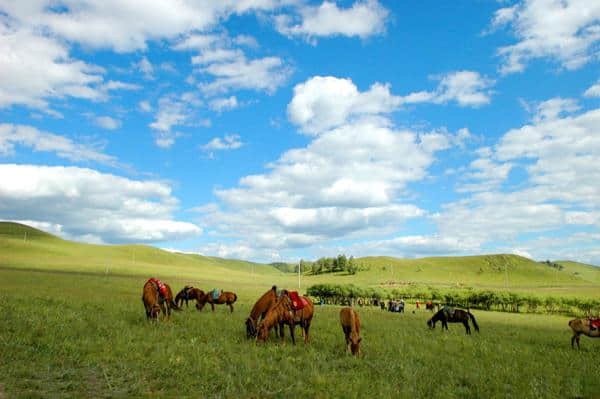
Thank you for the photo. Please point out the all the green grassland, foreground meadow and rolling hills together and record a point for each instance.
(73, 326)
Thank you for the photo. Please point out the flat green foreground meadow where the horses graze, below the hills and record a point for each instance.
(77, 335)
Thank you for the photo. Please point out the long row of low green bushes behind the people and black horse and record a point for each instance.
(469, 298)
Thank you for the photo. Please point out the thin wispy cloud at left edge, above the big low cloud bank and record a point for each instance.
(37, 140)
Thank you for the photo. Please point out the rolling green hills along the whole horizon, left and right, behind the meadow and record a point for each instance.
(24, 247)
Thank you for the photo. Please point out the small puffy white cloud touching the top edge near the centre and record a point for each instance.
(362, 19)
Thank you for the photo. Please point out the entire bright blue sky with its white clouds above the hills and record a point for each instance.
(285, 129)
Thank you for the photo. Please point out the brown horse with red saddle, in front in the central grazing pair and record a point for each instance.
(282, 313)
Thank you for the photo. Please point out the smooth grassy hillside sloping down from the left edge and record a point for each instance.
(27, 248)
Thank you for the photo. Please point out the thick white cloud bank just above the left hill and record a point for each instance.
(87, 203)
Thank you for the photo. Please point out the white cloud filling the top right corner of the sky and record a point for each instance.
(565, 30)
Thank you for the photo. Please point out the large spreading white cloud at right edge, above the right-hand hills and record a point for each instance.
(557, 154)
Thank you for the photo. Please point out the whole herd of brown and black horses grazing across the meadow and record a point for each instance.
(276, 309)
